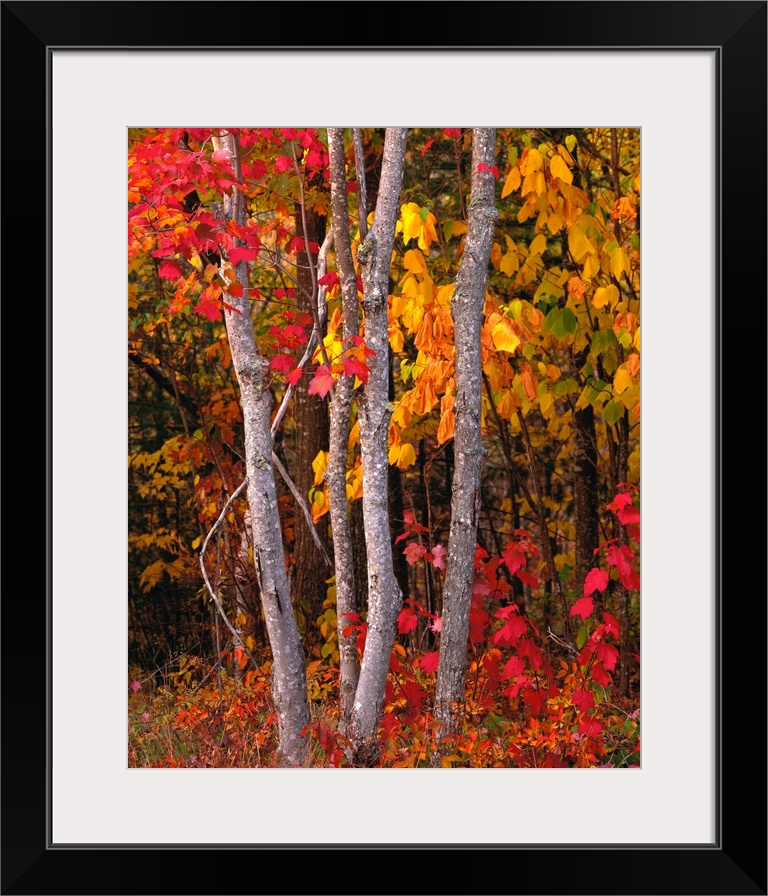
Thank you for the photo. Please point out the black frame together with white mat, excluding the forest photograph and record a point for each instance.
(692, 77)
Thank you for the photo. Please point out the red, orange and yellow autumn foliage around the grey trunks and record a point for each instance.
(553, 653)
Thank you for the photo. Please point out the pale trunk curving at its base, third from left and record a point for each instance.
(384, 596)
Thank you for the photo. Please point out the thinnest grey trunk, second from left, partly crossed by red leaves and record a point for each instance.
(346, 603)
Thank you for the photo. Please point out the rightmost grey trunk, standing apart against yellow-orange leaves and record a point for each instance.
(467, 312)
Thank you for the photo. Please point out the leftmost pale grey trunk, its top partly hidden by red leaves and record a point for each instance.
(289, 688)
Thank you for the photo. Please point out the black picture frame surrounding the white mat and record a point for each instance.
(736, 862)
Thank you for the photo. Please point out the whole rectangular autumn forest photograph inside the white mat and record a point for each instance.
(384, 447)
